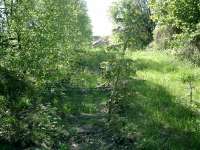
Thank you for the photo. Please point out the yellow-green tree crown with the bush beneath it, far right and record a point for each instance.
(182, 16)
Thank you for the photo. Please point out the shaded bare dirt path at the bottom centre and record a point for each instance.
(90, 132)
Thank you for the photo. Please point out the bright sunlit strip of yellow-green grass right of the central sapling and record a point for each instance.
(166, 70)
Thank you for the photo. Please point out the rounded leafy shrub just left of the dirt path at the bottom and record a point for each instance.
(43, 127)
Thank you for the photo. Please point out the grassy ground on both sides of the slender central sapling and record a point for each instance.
(158, 113)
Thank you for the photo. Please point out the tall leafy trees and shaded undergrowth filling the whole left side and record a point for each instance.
(40, 43)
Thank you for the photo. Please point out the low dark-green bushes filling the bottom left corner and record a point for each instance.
(39, 127)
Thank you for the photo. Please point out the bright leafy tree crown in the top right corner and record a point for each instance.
(183, 14)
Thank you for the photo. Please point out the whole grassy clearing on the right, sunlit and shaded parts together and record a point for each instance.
(160, 107)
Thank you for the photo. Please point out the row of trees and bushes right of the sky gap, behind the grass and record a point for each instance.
(159, 24)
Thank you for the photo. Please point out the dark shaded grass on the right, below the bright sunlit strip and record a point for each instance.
(158, 120)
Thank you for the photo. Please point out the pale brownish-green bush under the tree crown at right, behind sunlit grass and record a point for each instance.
(183, 44)
